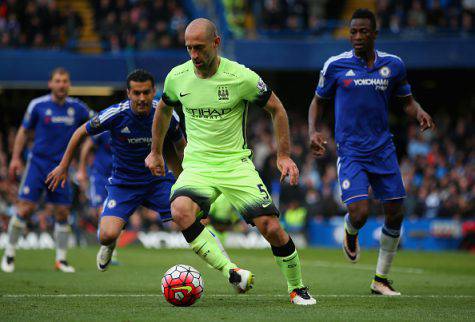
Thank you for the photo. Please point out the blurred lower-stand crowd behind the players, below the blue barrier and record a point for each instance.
(438, 170)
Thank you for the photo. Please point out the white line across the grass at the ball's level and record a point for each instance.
(15, 296)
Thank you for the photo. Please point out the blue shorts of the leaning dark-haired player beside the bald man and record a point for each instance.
(123, 200)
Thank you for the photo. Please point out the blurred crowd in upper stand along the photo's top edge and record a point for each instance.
(125, 25)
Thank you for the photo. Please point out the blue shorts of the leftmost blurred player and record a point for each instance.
(33, 184)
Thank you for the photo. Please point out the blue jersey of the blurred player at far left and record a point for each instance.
(54, 124)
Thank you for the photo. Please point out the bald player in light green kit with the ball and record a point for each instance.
(215, 93)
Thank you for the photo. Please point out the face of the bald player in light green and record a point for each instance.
(202, 49)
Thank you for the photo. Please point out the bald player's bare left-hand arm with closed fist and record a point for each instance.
(161, 122)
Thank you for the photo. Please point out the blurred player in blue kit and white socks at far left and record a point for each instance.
(53, 118)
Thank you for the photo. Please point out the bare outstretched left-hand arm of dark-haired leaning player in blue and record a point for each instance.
(60, 173)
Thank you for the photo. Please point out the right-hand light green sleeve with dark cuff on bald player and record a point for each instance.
(253, 88)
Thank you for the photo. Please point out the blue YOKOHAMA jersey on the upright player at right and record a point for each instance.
(362, 97)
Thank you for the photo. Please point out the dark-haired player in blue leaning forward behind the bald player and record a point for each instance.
(131, 183)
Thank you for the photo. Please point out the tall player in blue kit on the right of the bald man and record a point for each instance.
(362, 81)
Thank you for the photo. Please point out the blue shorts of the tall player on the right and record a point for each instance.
(380, 171)
